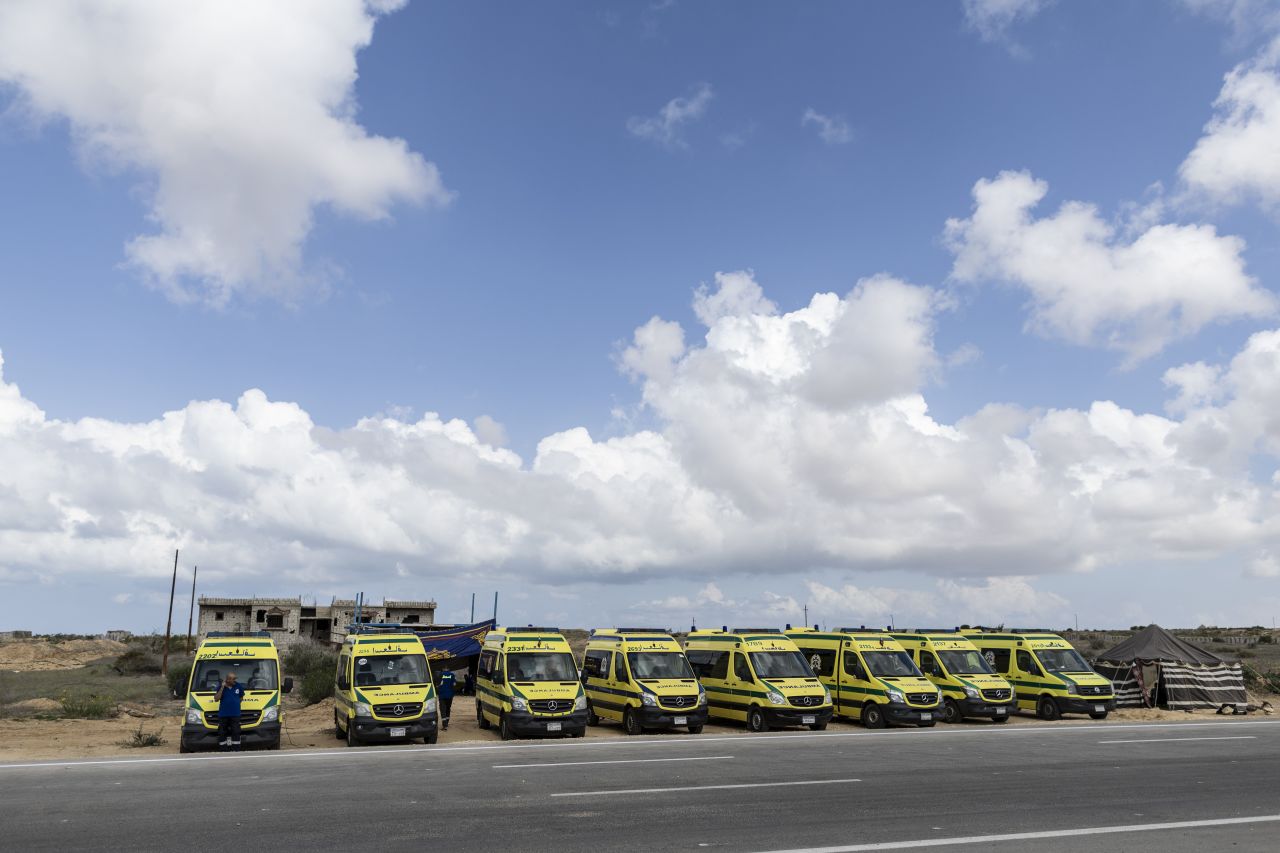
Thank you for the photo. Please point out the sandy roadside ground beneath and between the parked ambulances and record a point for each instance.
(313, 729)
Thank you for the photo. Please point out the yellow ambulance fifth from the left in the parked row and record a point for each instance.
(757, 676)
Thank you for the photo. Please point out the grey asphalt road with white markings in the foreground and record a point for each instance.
(1153, 787)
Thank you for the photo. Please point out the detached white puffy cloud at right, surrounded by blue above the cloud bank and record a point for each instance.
(1091, 286)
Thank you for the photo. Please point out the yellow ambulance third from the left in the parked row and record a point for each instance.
(528, 685)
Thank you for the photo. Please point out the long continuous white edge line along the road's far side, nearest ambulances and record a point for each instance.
(633, 743)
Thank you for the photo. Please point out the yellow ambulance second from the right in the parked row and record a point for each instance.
(970, 687)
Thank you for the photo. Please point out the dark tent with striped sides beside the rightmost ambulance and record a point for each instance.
(1156, 668)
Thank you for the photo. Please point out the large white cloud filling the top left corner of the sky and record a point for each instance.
(239, 120)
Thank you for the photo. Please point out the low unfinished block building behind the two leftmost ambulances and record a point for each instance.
(290, 621)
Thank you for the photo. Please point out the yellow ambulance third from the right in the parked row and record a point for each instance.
(871, 676)
